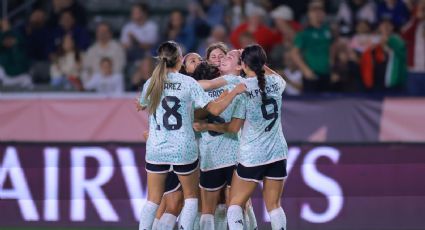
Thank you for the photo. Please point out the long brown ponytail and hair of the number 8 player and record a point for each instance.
(168, 57)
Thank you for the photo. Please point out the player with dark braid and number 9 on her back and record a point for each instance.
(263, 148)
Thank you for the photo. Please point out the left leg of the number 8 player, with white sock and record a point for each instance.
(156, 176)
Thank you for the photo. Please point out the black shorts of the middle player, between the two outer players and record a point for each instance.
(216, 179)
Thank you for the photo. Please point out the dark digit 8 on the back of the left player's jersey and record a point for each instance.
(171, 111)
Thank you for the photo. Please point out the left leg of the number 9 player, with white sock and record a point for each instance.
(244, 183)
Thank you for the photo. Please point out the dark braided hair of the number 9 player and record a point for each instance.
(255, 58)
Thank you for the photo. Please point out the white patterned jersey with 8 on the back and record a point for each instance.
(171, 136)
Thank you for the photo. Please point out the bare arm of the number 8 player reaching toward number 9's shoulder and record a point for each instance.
(217, 106)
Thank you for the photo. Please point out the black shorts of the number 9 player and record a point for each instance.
(274, 171)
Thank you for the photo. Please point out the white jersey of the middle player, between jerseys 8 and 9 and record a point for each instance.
(219, 150)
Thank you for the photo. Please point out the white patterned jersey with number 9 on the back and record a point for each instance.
(262, 141)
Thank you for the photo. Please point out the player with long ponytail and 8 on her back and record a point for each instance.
(169, 96)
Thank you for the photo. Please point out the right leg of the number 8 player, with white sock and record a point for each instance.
(189, 180)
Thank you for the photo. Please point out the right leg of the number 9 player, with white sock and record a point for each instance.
(272, 193)
